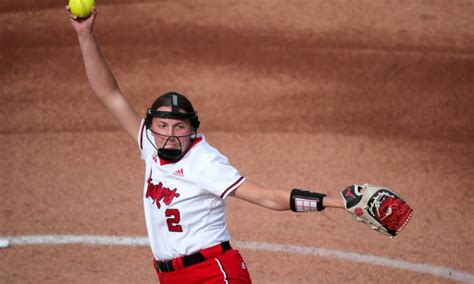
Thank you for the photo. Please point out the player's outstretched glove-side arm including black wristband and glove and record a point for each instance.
(377, 206)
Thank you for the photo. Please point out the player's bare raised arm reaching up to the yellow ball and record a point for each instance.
(100, 76)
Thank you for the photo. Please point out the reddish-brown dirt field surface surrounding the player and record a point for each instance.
(312, 94)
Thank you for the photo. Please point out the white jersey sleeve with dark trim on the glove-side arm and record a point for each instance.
(218, 177)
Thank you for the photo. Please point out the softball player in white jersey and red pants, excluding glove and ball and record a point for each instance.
(186, 181)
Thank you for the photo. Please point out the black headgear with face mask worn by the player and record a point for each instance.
(173, 98)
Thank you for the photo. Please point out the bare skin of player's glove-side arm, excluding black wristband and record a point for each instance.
(276, 199)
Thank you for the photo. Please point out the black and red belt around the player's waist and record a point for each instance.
(195, 258)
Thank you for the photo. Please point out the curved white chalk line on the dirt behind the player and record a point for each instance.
(439, 271)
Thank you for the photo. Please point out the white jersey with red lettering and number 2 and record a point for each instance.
(185, 201)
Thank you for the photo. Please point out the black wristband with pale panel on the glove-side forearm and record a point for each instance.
(302, 201)
